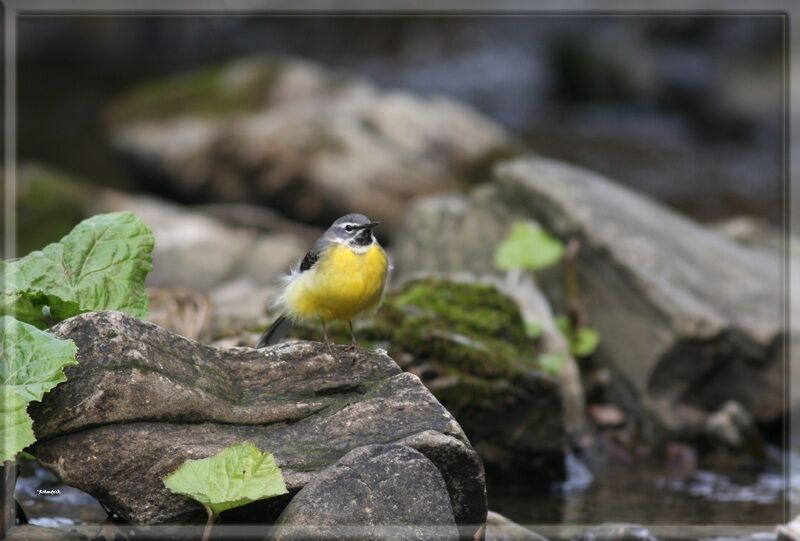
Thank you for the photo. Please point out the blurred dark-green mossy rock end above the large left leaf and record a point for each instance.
(49, 204)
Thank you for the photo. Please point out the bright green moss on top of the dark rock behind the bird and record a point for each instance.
(460, 328)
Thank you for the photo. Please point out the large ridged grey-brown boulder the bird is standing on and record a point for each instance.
(142, 400)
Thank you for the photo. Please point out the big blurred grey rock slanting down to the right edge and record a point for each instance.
(673, 301)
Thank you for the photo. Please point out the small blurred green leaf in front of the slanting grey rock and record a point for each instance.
(528, 246)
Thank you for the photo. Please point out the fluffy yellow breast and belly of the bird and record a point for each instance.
(340, 286)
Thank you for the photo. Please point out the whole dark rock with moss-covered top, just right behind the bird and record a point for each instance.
(467, 342)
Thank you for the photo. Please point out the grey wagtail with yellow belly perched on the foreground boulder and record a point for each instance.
(341, 277)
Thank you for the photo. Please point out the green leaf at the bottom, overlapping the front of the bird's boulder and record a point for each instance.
(235, 476)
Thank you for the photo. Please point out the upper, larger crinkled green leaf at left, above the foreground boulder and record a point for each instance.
(100, 265)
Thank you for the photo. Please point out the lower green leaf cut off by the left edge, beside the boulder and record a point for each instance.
(31, 363)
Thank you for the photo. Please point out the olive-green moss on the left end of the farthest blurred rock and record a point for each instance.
(210, 91)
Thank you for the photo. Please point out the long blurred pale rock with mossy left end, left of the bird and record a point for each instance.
(194, 251)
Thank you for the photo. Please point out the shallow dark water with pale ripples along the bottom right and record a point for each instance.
(645, 493)
